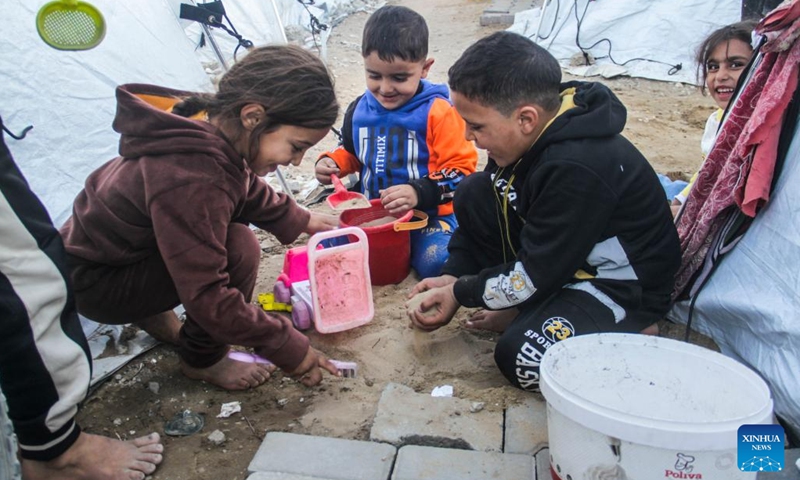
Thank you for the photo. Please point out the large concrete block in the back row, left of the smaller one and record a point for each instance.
(408, 418)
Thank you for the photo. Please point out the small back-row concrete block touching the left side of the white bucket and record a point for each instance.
(526, 426)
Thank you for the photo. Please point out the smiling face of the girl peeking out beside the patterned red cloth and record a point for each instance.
(723, 68)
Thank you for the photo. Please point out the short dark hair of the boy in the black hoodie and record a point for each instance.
(506, 70)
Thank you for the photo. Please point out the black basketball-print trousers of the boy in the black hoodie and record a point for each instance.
(486, 239)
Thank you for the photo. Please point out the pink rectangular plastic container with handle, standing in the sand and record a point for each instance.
(340, 281)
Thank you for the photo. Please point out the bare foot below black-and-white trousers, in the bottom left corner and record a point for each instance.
(93, 457)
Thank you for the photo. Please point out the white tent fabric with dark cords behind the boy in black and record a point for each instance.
(668, 31)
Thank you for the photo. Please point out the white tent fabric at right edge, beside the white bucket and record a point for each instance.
(751, 302)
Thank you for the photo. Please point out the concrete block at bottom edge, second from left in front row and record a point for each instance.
(429, 463)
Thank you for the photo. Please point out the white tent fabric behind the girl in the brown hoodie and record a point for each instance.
(69, 96)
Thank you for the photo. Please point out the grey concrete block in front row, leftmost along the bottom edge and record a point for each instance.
(323, 458)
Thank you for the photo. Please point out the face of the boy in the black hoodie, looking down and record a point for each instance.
(501, 136)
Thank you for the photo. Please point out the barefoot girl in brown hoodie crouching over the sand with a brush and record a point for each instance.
(167, 222)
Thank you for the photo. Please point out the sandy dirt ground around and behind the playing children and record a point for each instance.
(665, 120)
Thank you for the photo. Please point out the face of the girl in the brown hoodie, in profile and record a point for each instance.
(284, 146)
